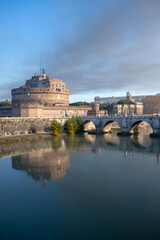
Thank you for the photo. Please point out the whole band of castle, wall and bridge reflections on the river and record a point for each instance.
(49, 159)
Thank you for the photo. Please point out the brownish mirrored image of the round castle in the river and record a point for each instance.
(43, 165)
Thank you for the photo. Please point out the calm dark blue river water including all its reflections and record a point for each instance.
(81, 187)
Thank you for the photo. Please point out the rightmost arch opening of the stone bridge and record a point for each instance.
(141, 124)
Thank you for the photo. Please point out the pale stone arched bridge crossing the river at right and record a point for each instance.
(126, 123)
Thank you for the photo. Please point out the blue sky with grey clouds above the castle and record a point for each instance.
(97, 47)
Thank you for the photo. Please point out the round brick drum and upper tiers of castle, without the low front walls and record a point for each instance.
(40, 89)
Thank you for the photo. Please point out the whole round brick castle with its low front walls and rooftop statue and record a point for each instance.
(42, 96)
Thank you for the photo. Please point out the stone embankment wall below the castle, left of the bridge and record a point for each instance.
(12, 125)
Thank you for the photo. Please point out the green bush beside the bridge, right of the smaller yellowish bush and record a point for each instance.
(74, 125)
